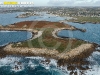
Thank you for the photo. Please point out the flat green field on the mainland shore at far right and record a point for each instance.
(86, 19)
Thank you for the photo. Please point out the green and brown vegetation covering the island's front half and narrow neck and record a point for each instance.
(49, 41)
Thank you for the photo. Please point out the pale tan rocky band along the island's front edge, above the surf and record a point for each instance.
(74, 55)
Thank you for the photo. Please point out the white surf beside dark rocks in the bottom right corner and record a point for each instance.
(94, 67)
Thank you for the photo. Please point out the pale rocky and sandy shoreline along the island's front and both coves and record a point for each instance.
(74, 55)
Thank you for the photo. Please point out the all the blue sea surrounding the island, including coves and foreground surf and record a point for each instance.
(35, 65)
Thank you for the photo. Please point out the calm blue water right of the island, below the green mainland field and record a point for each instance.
(92, 33)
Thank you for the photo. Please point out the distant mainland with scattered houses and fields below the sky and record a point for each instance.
(72, 14)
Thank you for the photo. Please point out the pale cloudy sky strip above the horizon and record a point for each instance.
(61, 2)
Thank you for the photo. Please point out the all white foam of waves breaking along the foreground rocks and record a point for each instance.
(95, 69)
